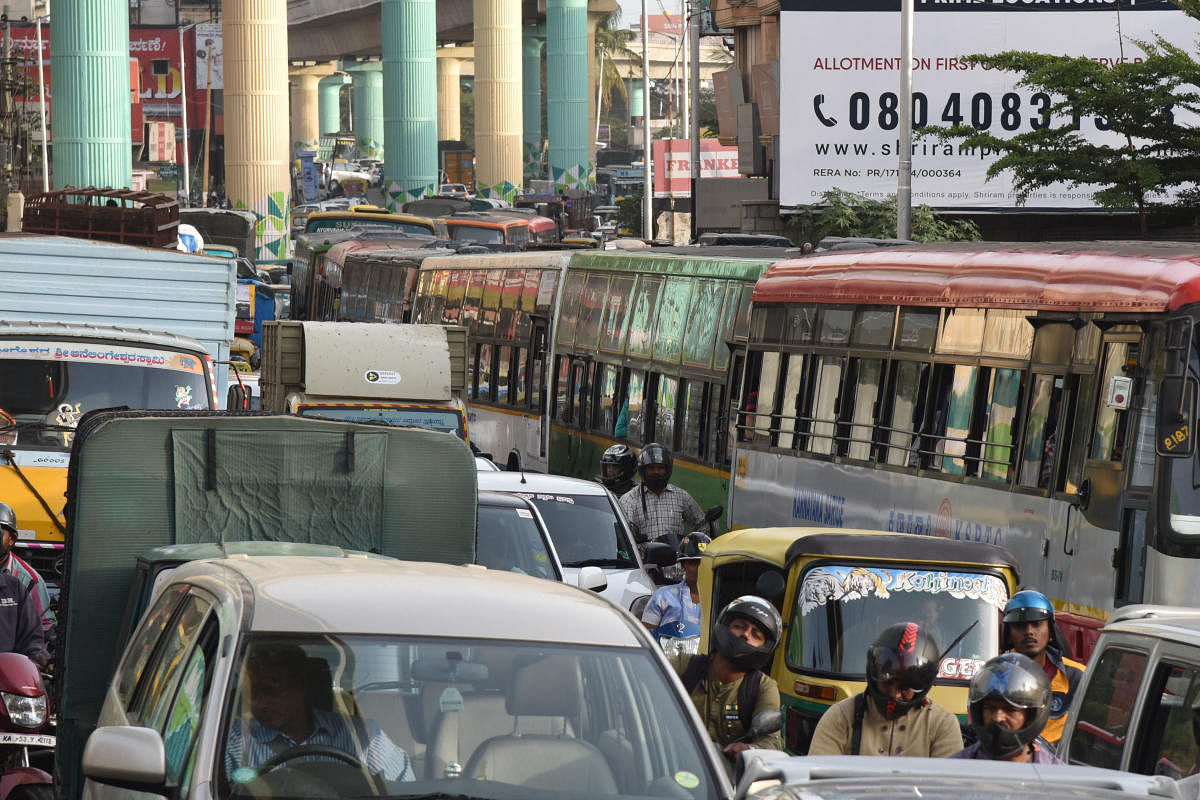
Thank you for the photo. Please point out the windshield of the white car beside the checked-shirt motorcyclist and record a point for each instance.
(585, 531)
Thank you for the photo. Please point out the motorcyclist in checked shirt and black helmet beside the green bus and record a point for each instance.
(658, 508)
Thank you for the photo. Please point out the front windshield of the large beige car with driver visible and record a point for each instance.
(350, 717)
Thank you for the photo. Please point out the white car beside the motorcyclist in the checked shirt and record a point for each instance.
(587, 530)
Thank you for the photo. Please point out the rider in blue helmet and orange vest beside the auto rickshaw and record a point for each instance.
(1030, 630)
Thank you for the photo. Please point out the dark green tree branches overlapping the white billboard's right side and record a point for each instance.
(1137, 101)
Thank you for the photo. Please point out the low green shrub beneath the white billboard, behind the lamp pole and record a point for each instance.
(845, 214)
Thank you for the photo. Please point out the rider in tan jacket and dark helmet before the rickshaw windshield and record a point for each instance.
(893, 717)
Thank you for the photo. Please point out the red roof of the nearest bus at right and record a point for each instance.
(1048, 276)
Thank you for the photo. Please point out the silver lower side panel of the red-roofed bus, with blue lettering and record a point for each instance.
(771, 491)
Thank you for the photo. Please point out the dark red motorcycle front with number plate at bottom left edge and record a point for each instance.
(27, 739)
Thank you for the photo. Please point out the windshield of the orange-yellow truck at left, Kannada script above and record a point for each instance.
(47, 386)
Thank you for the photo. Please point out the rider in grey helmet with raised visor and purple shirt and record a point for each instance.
(1009, 706)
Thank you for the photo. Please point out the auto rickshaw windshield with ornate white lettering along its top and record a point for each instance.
(843, 607)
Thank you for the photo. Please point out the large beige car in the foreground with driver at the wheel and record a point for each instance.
(412, 681)
